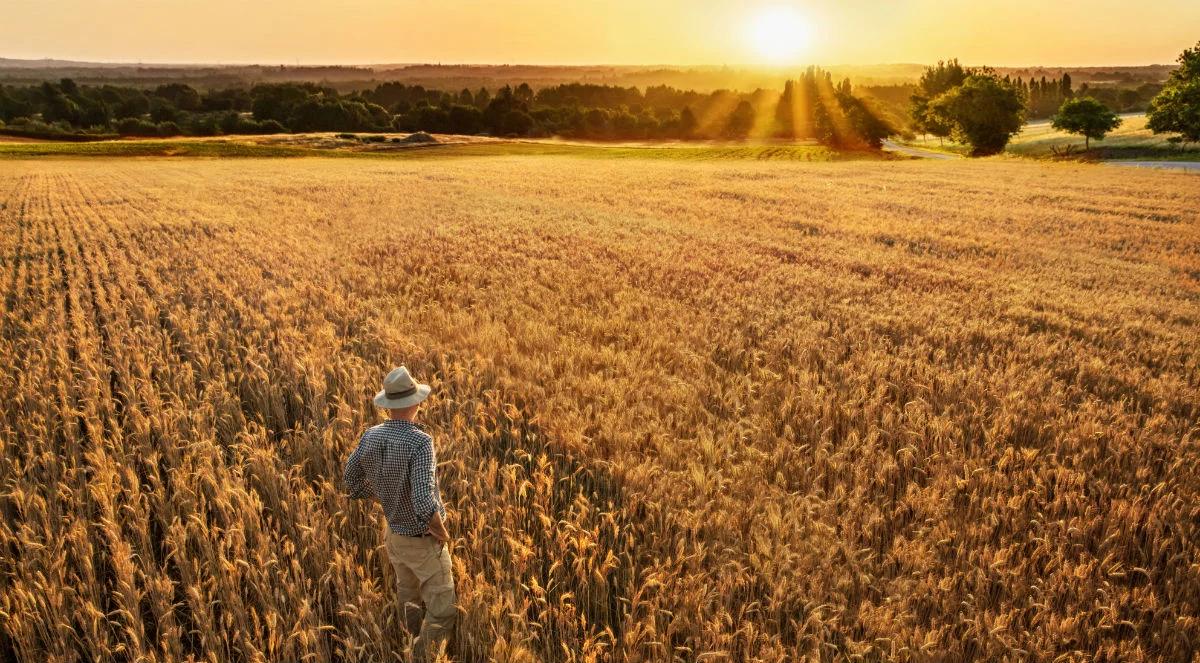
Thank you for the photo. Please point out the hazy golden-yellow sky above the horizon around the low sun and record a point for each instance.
(599, 32)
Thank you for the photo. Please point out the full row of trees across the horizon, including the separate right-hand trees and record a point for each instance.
(973, 105)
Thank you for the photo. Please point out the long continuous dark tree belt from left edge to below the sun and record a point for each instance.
(812, 107)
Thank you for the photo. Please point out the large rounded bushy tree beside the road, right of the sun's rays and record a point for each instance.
(983, 112)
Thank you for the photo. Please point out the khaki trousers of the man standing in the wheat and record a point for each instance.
(424, 575)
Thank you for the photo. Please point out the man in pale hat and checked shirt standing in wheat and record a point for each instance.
(395, 464)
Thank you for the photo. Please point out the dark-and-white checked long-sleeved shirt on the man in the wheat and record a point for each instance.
(397, 465)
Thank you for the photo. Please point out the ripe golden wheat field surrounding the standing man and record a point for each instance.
(687, 411)
